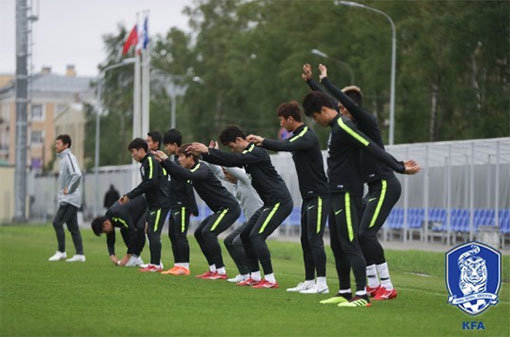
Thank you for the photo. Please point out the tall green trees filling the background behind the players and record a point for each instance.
(249, 54)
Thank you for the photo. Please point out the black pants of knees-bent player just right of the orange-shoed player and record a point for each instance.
(208, 231)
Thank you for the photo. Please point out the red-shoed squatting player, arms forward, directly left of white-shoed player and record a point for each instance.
(271, 189)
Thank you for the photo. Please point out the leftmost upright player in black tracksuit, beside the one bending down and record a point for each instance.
(153, 186)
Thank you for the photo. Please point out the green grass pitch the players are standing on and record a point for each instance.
(39, 298)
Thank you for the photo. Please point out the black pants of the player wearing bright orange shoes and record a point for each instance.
(178, 224)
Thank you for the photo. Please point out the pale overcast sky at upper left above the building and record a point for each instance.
(70, 31)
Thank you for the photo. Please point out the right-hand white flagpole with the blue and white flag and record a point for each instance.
(145, 76)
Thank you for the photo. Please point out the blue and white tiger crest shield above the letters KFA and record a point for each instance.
(473, 277)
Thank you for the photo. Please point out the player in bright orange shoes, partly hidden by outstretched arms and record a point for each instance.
(183, 205)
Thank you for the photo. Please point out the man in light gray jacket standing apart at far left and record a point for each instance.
(69, 199)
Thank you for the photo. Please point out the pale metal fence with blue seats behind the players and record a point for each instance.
(462, 192)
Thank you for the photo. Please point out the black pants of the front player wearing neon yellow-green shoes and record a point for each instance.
(345, 209)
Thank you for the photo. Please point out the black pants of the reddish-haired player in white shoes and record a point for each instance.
(314, 213)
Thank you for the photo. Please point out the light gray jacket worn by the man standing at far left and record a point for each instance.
(69, 177)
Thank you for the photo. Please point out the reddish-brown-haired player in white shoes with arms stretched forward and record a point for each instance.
(307, 156)
